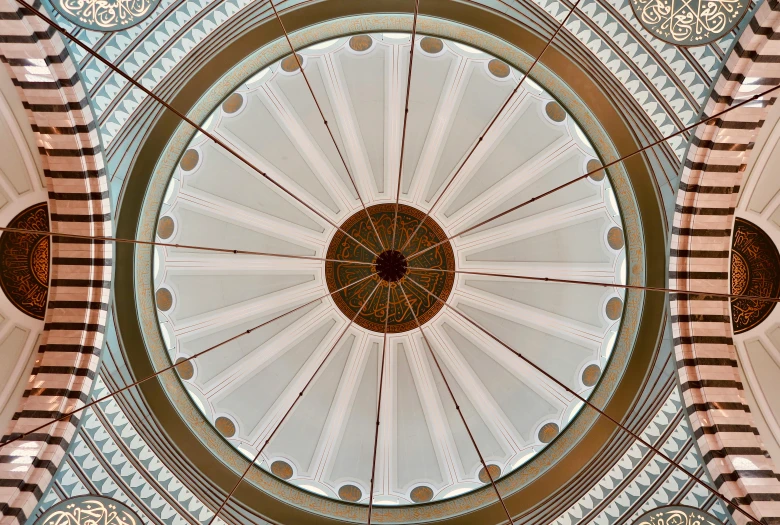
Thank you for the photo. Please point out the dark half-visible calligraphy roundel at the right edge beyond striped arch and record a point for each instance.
(755, 270)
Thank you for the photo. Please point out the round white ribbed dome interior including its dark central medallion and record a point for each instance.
(245, 387)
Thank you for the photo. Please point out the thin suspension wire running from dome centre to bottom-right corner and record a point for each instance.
(587, 402)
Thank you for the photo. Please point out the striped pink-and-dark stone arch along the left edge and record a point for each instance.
(56, 104)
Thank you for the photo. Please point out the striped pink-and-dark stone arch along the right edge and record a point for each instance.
(701, 241)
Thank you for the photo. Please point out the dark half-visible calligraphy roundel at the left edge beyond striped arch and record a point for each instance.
(24, 261)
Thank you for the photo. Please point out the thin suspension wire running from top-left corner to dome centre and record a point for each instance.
(186, 119)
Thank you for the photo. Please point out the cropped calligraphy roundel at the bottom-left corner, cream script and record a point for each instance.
(89, 510)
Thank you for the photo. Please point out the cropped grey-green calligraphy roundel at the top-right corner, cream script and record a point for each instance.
(689, 22)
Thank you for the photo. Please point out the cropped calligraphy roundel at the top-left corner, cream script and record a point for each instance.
(105, 15)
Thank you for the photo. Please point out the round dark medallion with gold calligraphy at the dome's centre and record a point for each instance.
(393, 262)
